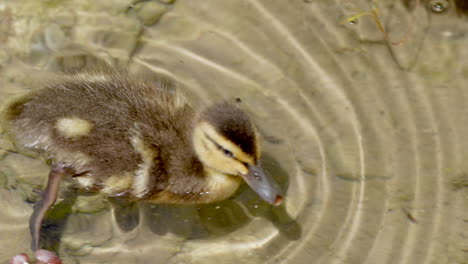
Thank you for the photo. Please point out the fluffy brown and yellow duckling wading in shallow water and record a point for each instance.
(121, 136)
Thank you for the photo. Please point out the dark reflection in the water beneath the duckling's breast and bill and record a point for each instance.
(212, 220)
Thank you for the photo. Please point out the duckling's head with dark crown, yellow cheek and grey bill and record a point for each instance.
(226, 141)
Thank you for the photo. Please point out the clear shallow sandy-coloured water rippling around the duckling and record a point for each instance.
(367, 138)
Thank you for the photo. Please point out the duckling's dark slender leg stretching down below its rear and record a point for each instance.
(48, 198)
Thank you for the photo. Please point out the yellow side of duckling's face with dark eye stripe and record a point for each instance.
(218, 152)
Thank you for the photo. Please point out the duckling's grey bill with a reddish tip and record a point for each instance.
(263, 185)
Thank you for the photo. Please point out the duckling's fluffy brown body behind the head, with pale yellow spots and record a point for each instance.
(107, 127)
